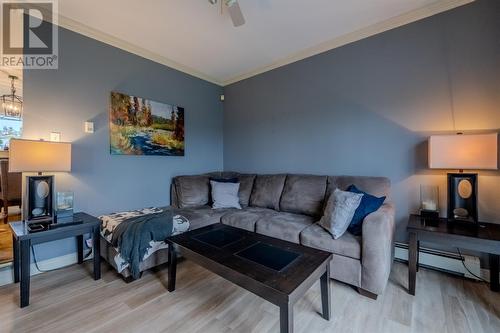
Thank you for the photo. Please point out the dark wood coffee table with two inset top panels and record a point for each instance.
(278, 271)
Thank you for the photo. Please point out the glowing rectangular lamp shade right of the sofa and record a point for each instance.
(472, 152)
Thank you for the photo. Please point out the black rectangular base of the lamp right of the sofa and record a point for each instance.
(462, 197)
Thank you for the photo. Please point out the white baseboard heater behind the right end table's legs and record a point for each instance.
(442, 261)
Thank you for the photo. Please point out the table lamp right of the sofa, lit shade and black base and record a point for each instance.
(461, 151)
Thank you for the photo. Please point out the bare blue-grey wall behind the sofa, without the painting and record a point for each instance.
(367, 108)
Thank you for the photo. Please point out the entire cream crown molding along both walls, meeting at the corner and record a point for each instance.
(360, 34)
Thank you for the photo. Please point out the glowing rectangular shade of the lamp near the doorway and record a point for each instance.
(39, 156)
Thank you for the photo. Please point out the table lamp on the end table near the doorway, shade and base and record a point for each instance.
(39, 156)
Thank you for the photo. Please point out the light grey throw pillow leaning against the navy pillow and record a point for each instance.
(339, 211)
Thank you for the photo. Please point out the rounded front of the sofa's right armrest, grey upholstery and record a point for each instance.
(377, 248)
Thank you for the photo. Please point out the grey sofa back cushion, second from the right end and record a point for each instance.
(303, 194)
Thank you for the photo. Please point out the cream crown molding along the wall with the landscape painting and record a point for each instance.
(103, 37)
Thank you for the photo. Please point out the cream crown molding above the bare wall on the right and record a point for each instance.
(394, 22)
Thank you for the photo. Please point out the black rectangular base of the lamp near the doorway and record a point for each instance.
(40, 203)
